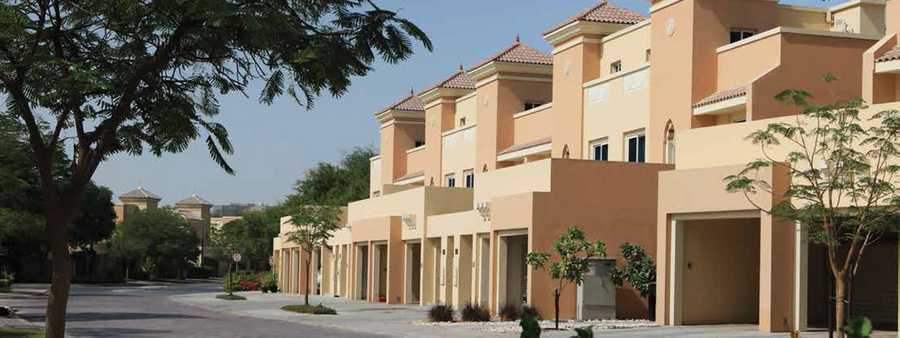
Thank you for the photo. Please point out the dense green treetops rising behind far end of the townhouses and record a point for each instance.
(336, 185)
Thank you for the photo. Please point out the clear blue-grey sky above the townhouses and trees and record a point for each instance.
(275, 144)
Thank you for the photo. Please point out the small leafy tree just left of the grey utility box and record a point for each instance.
(573, 254)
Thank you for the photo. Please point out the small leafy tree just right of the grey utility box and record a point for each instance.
(639, 272)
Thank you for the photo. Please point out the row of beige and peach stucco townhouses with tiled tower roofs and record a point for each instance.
(625, 130)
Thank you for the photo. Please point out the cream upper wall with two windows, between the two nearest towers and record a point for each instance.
(619, 113)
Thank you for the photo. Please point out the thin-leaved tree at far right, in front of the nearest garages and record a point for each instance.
(841, 188)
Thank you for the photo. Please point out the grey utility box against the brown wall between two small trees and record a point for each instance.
(596, 298)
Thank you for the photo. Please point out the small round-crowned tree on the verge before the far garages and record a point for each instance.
(315, 226)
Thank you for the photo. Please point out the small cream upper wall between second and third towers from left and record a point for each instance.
(459, 152)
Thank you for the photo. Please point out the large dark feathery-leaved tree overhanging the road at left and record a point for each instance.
(108, 77)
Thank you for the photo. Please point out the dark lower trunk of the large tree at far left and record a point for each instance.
(61, 278)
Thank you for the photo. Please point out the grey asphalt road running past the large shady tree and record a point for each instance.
(146, 311)
